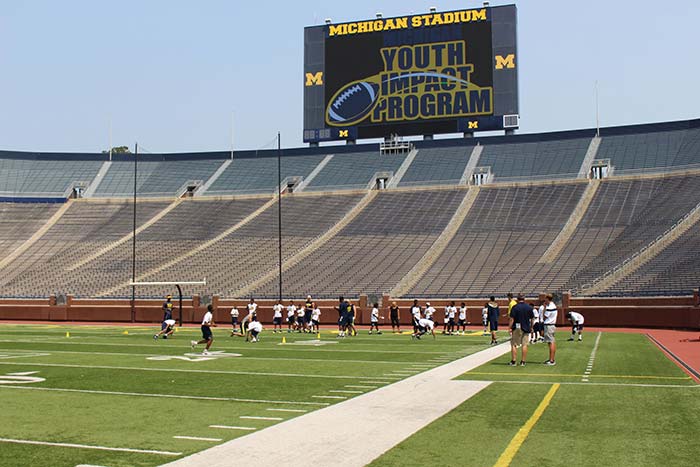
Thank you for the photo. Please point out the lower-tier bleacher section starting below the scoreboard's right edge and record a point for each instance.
(506, 232)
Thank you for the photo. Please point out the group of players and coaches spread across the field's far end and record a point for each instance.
(306, 319)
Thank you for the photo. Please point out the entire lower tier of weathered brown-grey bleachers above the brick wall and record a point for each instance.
(498, 247)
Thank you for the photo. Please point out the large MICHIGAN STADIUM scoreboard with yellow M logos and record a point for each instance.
(440, 72)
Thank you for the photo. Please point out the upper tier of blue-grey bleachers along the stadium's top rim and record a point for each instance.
(647, 148)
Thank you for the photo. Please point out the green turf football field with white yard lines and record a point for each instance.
(113, 396)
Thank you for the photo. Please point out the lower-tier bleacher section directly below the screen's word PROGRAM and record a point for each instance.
(374, 251)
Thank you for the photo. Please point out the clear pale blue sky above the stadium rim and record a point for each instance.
(170, 74)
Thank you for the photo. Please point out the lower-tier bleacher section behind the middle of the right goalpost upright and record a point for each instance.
(252, 250)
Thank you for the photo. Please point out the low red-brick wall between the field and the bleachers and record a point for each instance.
(643, 312)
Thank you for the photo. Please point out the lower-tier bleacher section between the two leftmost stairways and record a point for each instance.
(85, 227)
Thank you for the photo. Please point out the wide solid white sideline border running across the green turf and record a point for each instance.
(387, 416)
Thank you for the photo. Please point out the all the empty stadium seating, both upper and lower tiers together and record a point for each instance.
(369, 244)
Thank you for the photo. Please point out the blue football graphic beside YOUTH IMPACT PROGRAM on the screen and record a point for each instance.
(352, 103)
